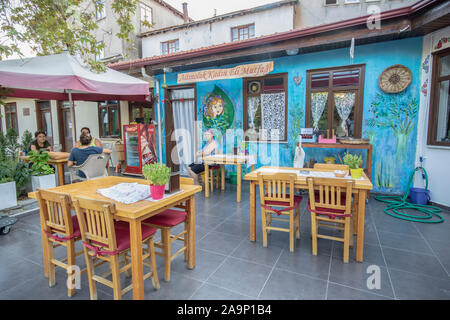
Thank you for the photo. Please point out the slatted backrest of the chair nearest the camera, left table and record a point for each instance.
(96, 219)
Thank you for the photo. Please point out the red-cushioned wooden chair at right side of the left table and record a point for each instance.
(165, 221)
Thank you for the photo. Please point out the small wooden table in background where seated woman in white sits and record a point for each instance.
(222, 160)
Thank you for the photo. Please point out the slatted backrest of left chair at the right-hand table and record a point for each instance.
(277, 187)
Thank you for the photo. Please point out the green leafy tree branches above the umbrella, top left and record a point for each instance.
(49, 27)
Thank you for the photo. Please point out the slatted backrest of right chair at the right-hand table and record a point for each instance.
(330, 194)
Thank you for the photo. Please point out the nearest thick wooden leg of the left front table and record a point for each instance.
(137, 268)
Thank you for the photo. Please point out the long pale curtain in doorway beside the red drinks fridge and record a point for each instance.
(184, 125)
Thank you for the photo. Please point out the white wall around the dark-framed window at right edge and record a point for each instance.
(436, 158)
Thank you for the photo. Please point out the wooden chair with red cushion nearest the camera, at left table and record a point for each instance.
(106, 239)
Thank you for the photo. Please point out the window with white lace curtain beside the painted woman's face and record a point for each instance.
(265, 108)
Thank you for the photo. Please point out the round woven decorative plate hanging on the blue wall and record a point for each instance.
(395, 79)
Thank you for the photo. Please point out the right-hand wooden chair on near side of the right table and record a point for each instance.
(330, 204)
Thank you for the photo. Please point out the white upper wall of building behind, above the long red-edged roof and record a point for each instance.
(266, 22)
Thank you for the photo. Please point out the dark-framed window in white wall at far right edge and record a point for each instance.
(439, 121)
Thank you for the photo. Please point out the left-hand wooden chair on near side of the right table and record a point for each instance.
(277, 190)
